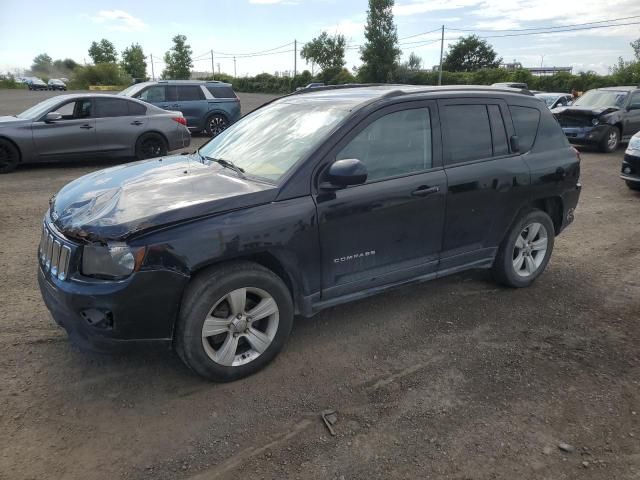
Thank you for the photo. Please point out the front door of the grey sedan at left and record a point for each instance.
(72, 136)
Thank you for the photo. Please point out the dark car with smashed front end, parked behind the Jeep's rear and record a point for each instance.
(602, 117)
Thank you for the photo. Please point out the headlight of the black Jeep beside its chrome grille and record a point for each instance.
(113, 261)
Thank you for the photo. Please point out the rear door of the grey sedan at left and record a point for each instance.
(119, 123)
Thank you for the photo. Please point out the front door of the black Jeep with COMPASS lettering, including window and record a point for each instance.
(388, 229)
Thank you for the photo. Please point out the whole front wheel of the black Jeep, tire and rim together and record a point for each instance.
(207, 305)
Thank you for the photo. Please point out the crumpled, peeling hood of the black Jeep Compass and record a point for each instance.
(114, 203)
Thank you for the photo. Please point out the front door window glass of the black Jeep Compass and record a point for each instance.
(398, 143)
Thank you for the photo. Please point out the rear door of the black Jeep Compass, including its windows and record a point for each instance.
(486, 179)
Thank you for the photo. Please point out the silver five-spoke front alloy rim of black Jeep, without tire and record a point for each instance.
(240, 326)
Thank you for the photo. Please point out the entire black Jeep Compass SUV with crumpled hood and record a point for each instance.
(315, 199)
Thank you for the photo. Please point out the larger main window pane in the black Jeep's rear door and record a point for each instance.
(468, 132)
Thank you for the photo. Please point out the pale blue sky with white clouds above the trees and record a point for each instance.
(241, 27)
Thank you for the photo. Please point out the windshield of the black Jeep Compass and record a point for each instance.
(271, 140)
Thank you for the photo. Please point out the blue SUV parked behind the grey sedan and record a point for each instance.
(208, 106)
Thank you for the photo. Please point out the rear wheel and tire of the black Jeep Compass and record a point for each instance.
(523, 255)
